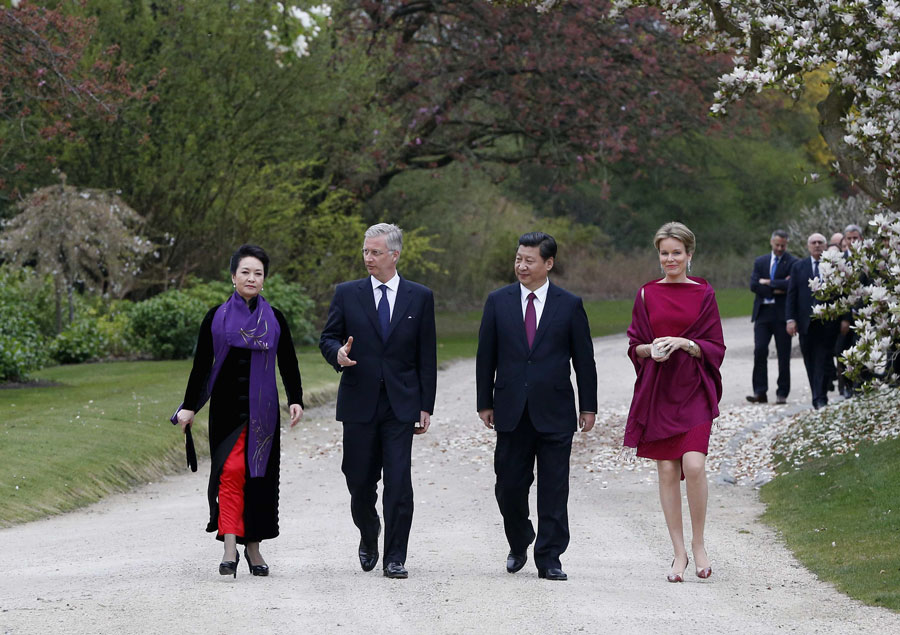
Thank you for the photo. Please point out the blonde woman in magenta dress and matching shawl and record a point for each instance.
(675, 343)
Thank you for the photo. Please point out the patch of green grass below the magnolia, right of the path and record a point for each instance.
(841, 518)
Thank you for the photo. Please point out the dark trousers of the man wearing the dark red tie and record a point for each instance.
(514, 460)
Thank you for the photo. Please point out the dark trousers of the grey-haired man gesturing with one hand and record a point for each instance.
(383, 444)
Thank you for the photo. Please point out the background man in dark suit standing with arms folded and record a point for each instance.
(769, 281)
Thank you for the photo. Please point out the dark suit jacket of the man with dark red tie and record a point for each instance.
(508, 375)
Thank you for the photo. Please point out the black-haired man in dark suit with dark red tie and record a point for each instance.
(529, 332)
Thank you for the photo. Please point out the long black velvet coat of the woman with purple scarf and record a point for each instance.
(229, 412)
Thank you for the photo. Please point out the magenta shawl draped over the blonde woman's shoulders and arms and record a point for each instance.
(673, 396)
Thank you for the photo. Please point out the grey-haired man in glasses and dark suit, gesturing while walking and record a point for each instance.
(386, 393)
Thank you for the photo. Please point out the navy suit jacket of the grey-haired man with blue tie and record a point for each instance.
(406, 362)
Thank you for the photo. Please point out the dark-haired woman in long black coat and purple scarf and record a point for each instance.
(234, 368)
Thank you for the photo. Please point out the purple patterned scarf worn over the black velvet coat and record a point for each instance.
(234, 325)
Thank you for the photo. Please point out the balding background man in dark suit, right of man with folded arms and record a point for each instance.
(817, 337)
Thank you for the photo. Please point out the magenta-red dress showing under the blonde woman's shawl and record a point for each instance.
(672, 308)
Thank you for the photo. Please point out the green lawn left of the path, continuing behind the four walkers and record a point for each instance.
(104, 427)
